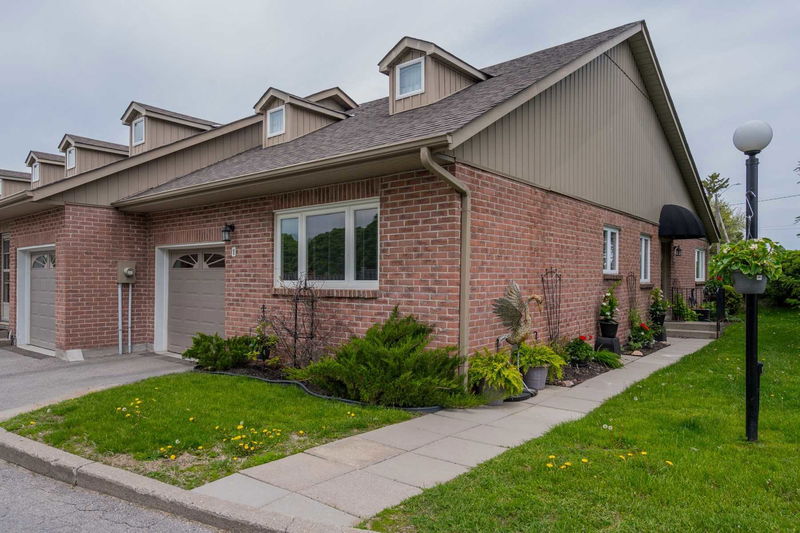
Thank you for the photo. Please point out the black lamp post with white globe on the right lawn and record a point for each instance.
(750, 138)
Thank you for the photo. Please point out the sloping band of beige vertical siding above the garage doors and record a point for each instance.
(154, 173)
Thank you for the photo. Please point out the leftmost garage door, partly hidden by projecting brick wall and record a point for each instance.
(43, 300)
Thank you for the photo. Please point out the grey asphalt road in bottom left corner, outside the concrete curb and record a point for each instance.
(31, 502)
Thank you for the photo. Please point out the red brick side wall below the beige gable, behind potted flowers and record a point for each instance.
(518, 231)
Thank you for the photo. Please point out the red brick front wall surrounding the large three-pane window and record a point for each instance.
(419, 253)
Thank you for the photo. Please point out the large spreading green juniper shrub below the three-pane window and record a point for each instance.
(392, 366)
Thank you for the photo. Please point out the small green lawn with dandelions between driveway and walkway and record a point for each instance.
(189, 429)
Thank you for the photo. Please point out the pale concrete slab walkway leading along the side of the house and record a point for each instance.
(345, 481)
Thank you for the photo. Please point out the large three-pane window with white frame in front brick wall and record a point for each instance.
(334, 246)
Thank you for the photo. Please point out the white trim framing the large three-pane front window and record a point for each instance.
(349, 281)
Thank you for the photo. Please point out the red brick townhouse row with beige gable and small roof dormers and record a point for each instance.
(431, 198)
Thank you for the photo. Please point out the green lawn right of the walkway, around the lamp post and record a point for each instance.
(698, 473)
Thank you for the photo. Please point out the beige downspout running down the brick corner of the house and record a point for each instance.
(464, 270)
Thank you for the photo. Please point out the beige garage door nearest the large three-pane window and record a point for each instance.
(196, 296)
